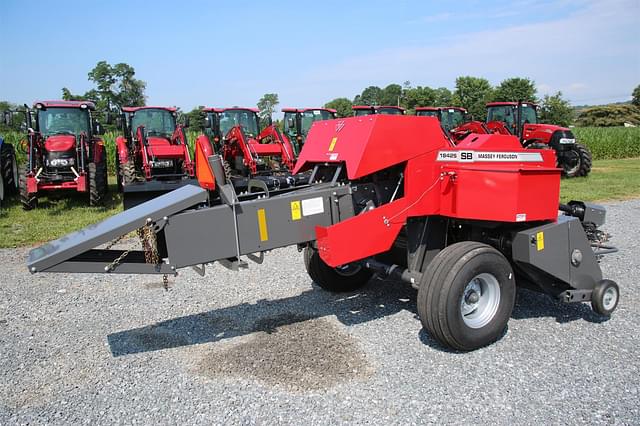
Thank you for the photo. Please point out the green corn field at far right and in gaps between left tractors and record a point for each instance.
(604, 142)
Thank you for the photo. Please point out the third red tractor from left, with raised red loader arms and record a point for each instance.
(248, 153)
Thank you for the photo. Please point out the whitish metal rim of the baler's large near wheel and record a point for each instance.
(480, 300)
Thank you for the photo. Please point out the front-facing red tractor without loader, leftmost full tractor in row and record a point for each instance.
(64, 152)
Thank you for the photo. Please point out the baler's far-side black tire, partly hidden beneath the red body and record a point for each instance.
(329, 278)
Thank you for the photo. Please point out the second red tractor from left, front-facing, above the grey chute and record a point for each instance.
(153, 155)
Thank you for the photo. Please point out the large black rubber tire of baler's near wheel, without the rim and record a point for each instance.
(442, 287)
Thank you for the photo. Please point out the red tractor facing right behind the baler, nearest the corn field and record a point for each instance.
(521, 119)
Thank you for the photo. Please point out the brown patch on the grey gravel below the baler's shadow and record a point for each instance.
(290, 352)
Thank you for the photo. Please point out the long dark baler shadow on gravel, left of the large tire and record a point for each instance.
(377, 299)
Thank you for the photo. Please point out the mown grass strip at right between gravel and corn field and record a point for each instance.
(609, 180)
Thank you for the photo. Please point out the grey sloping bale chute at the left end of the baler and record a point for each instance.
(76, 248)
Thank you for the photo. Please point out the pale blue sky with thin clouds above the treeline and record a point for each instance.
(230, 53)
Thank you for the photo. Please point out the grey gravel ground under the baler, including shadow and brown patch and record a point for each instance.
(266, 346)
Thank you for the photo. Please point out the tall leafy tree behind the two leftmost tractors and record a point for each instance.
(116, 86)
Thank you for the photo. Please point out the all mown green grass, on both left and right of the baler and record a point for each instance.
(609, 180)
